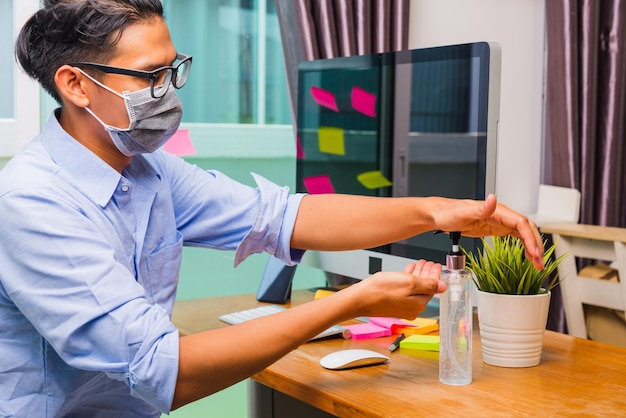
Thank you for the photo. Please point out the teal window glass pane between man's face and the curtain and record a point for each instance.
(238, 74)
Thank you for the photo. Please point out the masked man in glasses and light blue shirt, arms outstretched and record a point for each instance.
(95, 217)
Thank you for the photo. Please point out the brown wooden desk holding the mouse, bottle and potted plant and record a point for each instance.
(576, 377)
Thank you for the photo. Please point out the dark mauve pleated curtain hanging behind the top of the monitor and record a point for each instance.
(317, 29)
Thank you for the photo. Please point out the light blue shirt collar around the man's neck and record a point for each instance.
(93, 177)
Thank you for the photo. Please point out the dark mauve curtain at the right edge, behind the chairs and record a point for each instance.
(586, 109)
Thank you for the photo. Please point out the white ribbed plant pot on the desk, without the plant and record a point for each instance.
(512, 328)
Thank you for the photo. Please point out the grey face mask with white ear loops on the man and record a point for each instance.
(152, 121)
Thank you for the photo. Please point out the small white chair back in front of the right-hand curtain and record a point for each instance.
(556, 204)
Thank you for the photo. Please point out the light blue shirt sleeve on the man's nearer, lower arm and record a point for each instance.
(62, 275)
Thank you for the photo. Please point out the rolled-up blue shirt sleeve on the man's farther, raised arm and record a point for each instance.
(215, 211)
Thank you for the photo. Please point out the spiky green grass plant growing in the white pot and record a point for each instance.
(503, 268)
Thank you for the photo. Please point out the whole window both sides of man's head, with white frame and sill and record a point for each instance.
(236, 102)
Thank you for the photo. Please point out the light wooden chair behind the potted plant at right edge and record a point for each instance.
(593, 242)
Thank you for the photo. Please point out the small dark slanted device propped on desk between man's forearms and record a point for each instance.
(275, 284)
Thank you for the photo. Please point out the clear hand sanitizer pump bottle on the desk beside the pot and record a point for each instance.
(455, 320)
